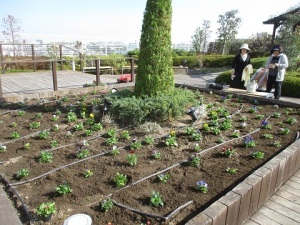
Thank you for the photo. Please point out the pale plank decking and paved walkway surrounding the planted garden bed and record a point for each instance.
(282, 208)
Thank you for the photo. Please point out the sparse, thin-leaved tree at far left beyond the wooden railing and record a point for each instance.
(11, 30)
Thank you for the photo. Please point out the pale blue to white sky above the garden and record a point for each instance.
(122, 19)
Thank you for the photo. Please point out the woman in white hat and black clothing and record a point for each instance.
(240, 61)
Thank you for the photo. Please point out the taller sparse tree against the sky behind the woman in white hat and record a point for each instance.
(229, 25)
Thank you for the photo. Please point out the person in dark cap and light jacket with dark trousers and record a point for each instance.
(276, 65)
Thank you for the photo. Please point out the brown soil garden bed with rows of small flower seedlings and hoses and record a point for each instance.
(181, 199)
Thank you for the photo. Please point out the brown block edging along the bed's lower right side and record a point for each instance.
(246, 198)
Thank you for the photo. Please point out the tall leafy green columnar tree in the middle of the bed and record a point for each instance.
(155, 73)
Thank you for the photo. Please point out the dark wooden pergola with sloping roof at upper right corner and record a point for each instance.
(278, 20)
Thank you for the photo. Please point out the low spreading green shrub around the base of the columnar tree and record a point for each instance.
(136, 110)
